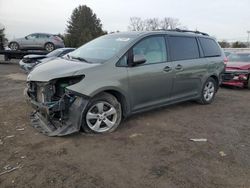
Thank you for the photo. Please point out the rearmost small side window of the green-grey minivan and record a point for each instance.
(210, 47)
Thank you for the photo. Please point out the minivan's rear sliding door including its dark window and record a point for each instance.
(187, 65)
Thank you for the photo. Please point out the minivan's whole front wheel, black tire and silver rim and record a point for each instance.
(103, 114)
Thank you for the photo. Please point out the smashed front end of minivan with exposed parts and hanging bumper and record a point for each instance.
(58, 111)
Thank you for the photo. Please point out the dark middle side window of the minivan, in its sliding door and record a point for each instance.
(182, 48)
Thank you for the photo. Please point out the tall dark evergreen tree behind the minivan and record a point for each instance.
(82, 27)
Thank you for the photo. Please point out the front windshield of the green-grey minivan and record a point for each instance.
(100, 49)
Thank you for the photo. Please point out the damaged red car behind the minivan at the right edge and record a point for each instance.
(237, 70)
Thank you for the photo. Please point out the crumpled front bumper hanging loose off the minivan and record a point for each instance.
(42, 120)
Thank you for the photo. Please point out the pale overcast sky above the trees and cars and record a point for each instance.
(224, 19)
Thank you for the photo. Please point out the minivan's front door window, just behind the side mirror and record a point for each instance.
(153, 49)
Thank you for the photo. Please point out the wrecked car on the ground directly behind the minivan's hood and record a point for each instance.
(30, 61)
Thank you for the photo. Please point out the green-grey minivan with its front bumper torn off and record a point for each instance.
(121, 74)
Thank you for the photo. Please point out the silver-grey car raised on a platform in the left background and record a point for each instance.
(37, 41)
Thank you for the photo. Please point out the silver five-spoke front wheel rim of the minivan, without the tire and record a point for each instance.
(101, 117)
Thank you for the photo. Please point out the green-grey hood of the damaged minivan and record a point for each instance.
(58, 68)
